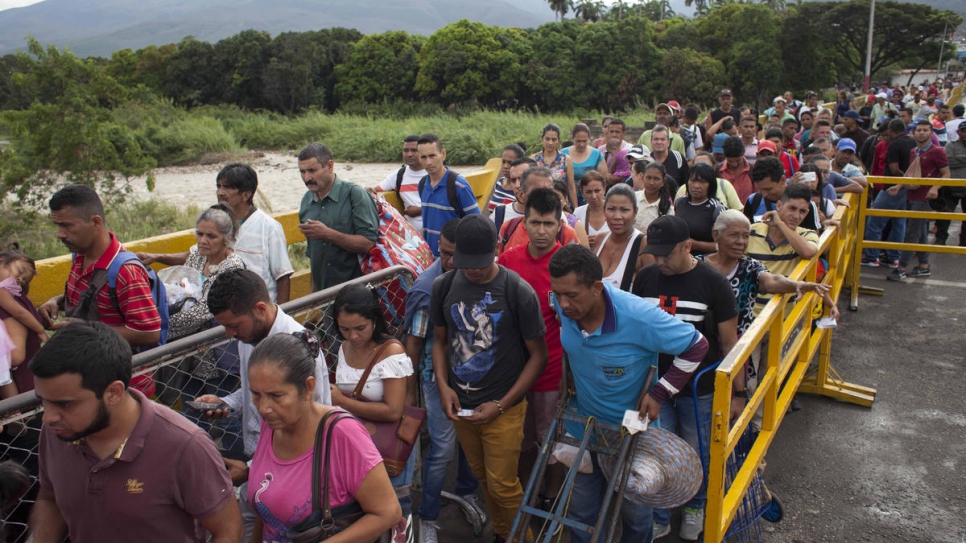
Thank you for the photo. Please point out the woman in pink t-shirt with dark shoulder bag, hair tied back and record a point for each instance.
(281, 376)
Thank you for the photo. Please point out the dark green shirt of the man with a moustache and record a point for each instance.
(349, 209)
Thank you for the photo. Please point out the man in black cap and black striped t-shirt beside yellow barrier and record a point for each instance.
(693, 292)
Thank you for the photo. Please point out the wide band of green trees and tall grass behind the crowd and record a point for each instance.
(102, 122)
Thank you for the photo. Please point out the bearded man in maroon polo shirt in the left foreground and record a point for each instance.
(115, 466)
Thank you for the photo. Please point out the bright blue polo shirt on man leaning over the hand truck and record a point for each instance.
(610, 364)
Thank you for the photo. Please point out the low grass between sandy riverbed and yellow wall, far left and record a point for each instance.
(37, 236)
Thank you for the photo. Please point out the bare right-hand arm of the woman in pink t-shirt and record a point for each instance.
(377, 498)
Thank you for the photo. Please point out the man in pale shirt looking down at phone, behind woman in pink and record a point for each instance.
(239, 301)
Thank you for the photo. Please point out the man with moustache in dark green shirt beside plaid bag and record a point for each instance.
(338, 219)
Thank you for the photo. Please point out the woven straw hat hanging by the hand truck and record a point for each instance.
(665, 471)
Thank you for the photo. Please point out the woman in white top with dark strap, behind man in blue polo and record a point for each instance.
(620, 250)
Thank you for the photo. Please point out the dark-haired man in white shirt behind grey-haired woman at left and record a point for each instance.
(260, 242)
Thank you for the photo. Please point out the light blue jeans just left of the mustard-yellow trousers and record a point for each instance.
(442, 447)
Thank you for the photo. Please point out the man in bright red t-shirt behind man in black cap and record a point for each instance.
(531, 261)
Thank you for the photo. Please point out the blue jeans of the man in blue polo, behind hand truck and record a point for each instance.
(585, 504)
